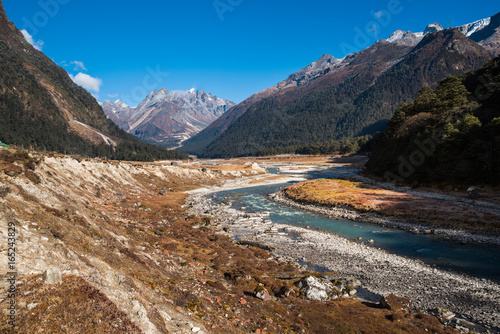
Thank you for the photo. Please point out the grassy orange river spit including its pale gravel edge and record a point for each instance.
(426, 213)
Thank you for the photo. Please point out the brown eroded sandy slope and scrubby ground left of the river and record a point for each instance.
(106, 246)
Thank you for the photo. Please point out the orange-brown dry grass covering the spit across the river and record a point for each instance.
(365, 198)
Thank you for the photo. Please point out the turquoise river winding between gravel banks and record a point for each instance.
(476, 260)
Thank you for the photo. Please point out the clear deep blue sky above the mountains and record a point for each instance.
(231, 48)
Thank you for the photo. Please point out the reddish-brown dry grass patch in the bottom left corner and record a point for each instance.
(71, 307)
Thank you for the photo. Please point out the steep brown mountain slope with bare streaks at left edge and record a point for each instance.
(40, 106)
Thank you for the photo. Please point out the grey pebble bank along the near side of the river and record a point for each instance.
(381, 273)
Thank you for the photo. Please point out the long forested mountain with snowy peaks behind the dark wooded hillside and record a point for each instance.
(339, 98)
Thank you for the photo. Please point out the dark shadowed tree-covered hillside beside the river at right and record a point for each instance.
(450, 134)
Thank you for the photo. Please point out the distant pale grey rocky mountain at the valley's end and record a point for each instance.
(168, 118)
